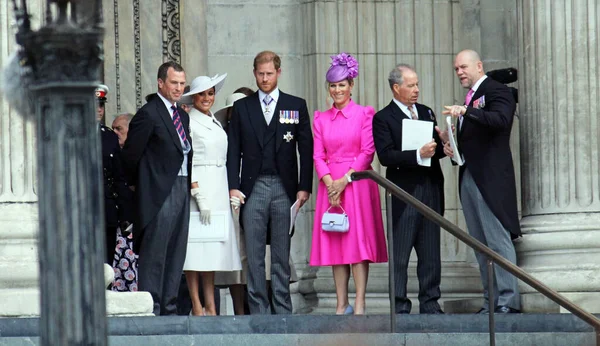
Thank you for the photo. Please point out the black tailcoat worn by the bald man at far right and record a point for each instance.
(484, 140)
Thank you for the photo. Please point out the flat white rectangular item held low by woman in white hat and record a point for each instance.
(213, 232)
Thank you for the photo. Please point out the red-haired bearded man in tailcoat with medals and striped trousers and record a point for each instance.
(265, 131)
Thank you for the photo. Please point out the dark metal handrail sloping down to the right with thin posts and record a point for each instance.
(480, 247)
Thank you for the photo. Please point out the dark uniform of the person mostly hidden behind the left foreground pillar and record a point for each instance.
(117, 195)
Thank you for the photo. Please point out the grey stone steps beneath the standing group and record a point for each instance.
(322, 330)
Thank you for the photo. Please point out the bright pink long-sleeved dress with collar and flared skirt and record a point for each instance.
(343, 139)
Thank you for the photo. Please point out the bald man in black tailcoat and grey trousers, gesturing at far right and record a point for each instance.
(487, 177)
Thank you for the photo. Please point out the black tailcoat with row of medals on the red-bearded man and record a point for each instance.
(245, 136)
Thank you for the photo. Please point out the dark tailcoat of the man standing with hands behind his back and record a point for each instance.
(152, 156)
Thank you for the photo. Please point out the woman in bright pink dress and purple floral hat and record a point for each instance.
(343, 143)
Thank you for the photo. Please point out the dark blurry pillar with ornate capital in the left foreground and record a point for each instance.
(64, 59)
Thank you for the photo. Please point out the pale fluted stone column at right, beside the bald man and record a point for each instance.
(558, 86)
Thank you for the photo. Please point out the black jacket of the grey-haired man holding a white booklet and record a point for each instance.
(402, 167)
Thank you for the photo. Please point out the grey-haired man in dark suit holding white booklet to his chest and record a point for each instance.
(408, 170)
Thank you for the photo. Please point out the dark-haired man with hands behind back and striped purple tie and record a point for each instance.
(157, 156)
